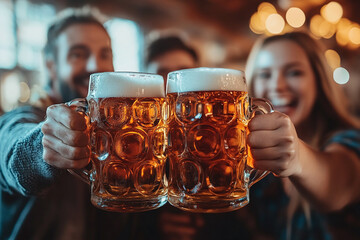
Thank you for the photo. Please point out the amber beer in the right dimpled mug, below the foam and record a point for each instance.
(207, 150)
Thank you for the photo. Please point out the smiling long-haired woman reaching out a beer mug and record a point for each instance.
(309, 142)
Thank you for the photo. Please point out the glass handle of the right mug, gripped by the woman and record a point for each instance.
(257, 106)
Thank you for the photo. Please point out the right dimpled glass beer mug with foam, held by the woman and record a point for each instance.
(210, 162)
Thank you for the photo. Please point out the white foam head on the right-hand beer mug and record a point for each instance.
(206, 79)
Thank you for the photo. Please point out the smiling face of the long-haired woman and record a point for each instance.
(287, 80)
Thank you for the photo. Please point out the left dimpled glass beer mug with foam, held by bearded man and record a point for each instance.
(128, 141)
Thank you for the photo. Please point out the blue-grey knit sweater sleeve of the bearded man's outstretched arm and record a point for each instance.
(22, 168)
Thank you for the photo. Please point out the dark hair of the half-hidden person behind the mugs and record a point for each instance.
(166, 44)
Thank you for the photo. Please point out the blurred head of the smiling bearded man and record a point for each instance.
(75, 49)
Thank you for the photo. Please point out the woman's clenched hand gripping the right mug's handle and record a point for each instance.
(274, 144)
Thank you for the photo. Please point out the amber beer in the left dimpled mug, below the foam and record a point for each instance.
(128, 153)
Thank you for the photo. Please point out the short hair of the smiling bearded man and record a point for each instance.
(65, 19)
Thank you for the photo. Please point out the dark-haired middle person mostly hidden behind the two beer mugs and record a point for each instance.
(171, 52)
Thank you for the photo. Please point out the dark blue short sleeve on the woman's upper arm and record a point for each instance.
(349, 139)
